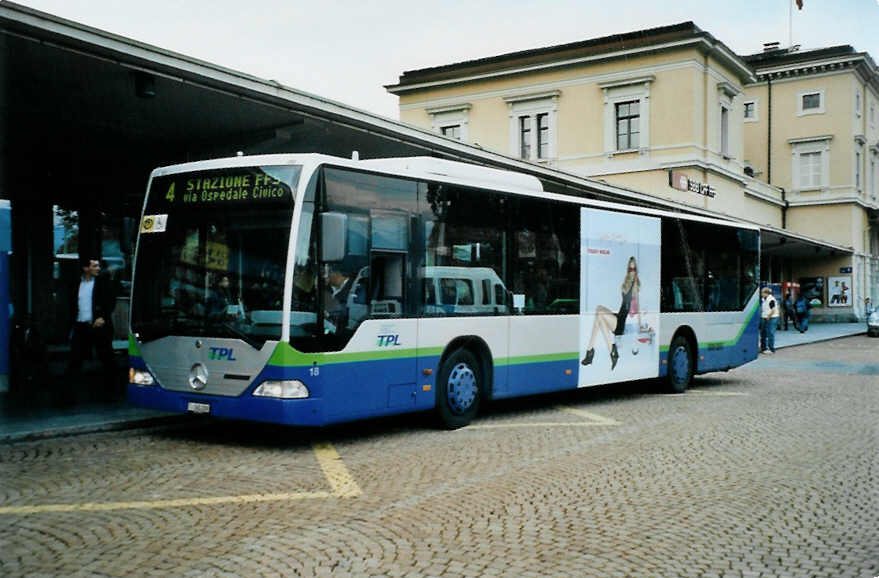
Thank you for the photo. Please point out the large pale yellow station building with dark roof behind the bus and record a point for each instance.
(782, 139)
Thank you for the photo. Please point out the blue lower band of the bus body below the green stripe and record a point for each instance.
(352, 394)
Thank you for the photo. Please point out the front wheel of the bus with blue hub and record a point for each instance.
(458, 389)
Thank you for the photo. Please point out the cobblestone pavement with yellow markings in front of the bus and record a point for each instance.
(771, 469)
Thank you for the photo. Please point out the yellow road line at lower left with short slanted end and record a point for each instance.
(331, 464)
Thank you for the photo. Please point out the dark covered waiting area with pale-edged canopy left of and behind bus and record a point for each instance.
(85, 115)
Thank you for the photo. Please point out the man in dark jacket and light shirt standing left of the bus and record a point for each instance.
(92, 300)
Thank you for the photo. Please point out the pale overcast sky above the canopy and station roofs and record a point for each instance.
(348, 50)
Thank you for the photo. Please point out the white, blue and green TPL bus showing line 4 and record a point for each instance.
(309, 289)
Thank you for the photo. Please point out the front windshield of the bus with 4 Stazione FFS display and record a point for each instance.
(212, 252)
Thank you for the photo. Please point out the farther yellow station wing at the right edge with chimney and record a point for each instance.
(812, 129)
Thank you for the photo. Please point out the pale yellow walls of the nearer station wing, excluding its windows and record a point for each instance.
(683, 89)
